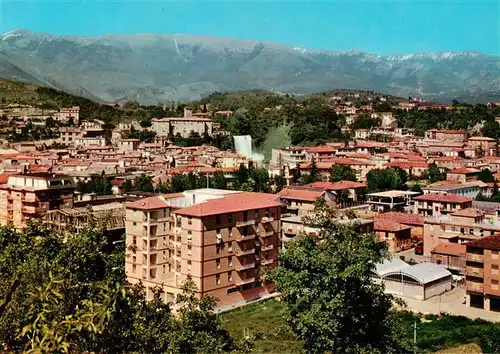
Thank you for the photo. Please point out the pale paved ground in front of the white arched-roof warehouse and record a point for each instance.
(452, 302)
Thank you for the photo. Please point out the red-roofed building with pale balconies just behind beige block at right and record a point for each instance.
(435, 204)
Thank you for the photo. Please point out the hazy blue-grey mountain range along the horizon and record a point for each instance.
(154, 68)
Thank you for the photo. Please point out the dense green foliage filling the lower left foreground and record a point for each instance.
(69, 295)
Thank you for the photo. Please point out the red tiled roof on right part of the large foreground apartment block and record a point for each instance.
(231, 203)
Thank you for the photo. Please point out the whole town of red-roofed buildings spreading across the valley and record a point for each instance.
(192, 201)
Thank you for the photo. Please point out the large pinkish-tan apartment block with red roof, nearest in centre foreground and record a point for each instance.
(223, 240)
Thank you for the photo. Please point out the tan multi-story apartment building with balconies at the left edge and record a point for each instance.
(27, 196)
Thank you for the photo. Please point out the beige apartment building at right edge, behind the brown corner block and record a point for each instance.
(459, 227)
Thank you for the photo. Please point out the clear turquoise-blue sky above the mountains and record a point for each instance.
(380, 27)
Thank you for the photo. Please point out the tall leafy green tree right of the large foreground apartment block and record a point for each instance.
(330, 300)
